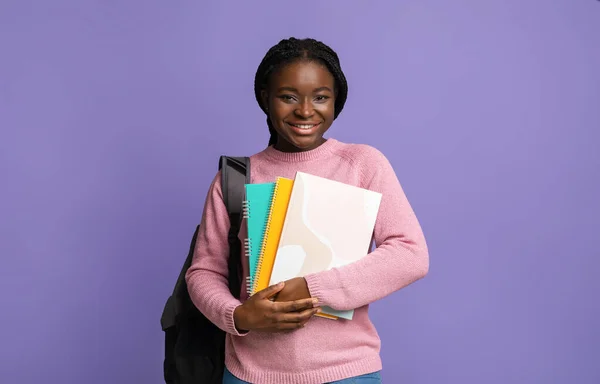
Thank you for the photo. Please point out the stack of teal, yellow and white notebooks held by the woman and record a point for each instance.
(306, 225)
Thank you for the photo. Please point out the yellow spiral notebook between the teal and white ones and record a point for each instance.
(270, 242)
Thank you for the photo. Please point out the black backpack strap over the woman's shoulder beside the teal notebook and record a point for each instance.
(235, 172)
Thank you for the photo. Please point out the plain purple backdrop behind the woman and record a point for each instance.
(113, 114)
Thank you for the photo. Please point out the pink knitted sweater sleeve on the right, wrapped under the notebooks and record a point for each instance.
(401, 255)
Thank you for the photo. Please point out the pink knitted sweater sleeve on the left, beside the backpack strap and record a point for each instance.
(207, 276)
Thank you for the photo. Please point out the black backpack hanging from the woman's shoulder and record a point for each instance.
(195, 347)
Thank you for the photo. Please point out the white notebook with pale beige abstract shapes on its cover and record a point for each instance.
(328, 224)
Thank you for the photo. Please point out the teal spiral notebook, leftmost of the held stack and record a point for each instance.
(256, 212)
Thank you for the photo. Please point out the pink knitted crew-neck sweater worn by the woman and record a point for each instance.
(325, 350)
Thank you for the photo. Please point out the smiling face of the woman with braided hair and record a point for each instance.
(301, 102)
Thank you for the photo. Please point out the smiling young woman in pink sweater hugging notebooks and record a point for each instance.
(301, 88)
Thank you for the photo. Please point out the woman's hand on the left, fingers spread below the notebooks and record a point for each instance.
(260, 313)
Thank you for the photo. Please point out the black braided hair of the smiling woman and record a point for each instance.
(290, 50)
